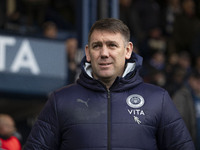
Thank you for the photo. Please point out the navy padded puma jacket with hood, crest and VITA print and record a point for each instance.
(131, 115)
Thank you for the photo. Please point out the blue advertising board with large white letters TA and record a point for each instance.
(31, 65)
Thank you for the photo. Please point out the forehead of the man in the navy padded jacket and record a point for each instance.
(101, 36)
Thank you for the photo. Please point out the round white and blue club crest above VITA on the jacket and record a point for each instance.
(135, 101)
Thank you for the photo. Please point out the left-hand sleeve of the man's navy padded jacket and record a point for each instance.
(45, 132)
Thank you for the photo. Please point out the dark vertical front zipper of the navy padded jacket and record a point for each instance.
(109, 120)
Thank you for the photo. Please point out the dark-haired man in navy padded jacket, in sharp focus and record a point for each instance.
(109, 107)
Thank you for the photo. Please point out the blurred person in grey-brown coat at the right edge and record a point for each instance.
(187, 101)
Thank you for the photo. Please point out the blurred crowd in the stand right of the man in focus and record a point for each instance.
(167, 35)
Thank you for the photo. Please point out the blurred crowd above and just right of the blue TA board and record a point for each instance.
(51, 19)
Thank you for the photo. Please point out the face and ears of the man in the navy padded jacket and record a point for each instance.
(107, 52)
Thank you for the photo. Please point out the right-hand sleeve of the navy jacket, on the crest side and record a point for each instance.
(172, 132)
